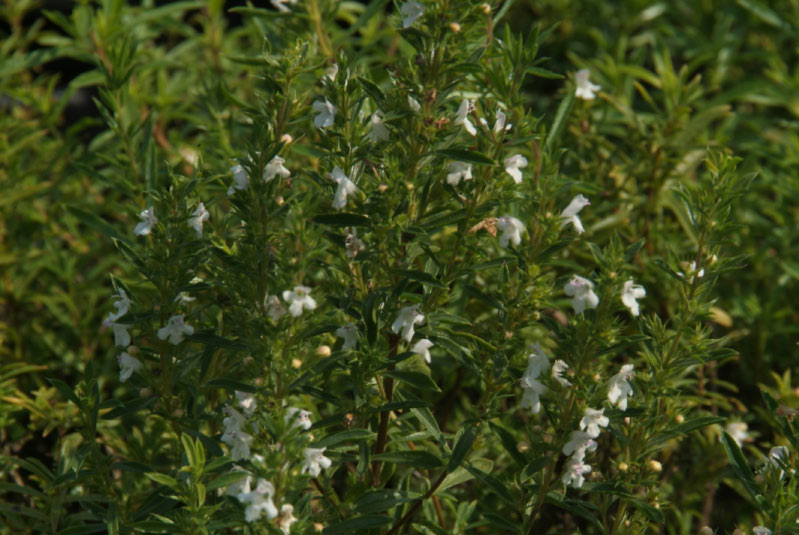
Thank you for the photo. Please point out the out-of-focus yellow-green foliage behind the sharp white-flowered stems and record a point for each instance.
(87, 85)
